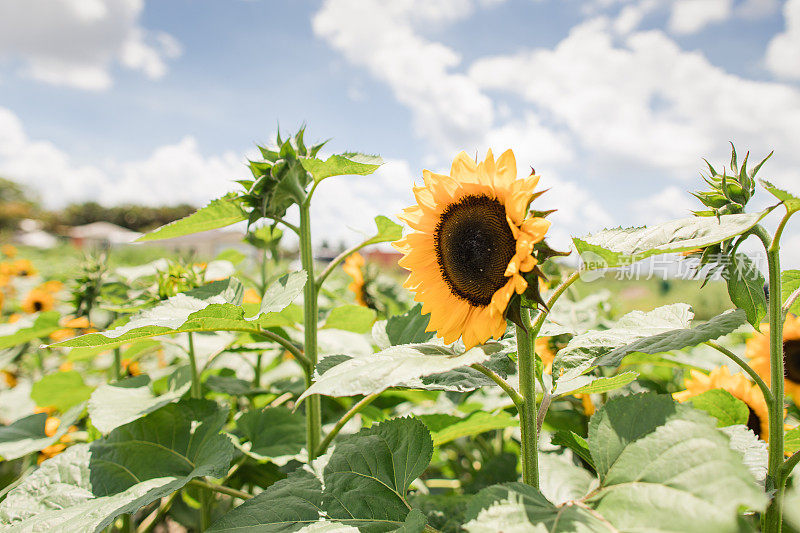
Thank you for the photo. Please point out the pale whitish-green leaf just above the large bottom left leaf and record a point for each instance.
(116, 404)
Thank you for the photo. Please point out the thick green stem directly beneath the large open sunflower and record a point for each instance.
(527, 389)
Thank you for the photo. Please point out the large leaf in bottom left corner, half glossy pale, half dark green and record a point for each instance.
(84, 488)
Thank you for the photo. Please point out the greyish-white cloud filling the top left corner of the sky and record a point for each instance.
(76, 42)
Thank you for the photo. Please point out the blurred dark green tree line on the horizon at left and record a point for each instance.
(18, 203)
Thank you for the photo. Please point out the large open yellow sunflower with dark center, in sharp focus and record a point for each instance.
(472, 245)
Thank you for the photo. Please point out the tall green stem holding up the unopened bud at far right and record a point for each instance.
(773, 516)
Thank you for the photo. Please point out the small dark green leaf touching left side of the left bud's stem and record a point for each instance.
(270, 433)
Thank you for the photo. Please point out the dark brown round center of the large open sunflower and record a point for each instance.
(473, 248)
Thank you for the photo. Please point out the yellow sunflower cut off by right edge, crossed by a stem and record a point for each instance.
(758, 352)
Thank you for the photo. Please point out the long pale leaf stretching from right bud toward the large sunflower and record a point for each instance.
(616, 247)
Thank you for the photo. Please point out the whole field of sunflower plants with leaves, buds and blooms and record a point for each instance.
(474, 388)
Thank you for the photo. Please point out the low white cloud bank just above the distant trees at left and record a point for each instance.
(171, 174)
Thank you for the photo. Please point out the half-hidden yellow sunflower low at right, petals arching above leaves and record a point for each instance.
(739, 386)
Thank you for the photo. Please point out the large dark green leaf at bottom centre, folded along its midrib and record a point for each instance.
(365, 480)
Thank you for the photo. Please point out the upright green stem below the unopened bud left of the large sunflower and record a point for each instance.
(313, 405)
